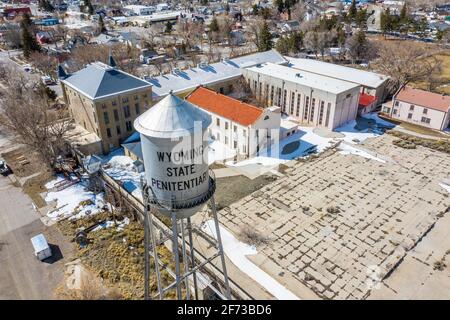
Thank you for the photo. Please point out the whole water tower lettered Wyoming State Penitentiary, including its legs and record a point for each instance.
(178, 183)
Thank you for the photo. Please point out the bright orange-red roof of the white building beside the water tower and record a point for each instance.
(227, 107)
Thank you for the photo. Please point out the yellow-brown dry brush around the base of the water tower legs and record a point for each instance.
(117, 257)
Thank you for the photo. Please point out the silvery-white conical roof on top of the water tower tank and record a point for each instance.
(171, 117)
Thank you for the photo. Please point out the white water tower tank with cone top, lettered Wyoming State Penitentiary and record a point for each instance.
(174, 148)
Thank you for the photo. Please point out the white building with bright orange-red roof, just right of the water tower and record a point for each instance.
(240, 126)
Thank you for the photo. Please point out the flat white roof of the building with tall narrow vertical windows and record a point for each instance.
(308, 79)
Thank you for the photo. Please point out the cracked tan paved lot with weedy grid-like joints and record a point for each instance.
(340, 224)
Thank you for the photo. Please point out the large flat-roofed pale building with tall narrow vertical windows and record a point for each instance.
(311, 98)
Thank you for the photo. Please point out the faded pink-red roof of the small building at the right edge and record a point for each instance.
(424, 99)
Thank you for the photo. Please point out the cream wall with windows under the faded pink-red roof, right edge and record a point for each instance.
(402, 110)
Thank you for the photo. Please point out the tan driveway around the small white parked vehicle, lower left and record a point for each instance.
(22, 276)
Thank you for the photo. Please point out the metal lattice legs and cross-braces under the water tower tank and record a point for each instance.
(195, 263)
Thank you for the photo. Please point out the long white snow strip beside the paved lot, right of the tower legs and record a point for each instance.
(237, 251)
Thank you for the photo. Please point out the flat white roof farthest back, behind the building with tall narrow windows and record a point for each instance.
(365, 78)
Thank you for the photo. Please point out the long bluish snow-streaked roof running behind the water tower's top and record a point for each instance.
(185, 80)
